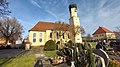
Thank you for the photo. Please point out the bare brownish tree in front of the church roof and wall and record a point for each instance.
(61, 28)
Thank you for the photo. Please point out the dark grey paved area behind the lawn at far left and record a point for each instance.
(7, 53)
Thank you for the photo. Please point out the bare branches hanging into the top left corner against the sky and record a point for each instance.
(4, 8)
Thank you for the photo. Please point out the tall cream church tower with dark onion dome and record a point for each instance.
(74, 19)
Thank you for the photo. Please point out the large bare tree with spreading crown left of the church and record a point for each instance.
(10, 28)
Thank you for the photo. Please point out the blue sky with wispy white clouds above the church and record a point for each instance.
(92, 13)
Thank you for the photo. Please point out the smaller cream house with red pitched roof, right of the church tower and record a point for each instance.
(103, 33)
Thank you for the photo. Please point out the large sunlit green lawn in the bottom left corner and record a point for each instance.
(19, 61)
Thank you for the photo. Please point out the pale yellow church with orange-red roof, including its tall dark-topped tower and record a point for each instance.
(43, 31)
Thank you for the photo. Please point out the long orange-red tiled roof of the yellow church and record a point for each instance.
(43, 26)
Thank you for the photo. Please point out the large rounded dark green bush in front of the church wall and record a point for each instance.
(50, 45)
